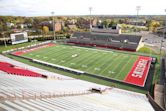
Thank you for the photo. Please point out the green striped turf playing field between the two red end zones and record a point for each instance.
(95, 61)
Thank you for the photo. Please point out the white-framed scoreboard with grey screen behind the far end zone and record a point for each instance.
(17, 38)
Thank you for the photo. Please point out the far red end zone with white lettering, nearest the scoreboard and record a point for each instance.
(32, 49)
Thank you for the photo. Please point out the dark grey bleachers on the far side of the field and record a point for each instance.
(115, 41)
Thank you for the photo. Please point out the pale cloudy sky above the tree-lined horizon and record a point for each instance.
(81, 7)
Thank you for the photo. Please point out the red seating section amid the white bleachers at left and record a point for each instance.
(15, 70)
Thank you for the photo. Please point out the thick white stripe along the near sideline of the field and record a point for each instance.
(63, 67)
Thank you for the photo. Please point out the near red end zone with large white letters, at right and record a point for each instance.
(139, 71)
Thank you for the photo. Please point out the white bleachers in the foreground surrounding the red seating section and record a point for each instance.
(25, 93)
